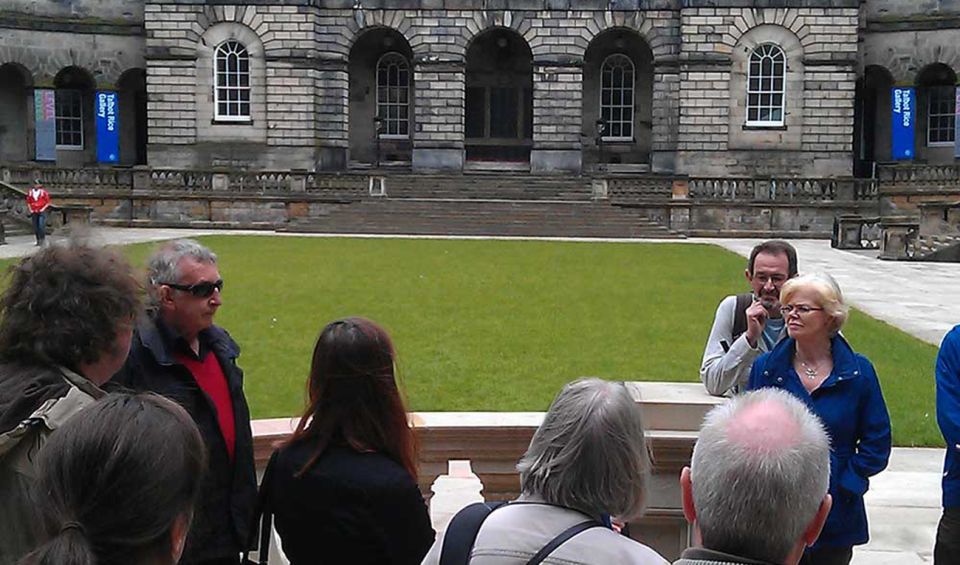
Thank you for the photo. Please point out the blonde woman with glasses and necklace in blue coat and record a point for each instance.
(818, 365)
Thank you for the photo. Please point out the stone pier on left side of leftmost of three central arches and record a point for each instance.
(332, 114)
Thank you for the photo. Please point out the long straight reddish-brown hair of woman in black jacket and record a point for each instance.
(353, 396)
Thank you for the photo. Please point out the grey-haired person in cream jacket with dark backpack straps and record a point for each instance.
(587, 462)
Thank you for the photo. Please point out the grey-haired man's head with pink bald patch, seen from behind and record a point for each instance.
(760, 470)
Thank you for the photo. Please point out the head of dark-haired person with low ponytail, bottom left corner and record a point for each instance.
(118, 484)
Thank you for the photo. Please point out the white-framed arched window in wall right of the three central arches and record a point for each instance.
(765, 86)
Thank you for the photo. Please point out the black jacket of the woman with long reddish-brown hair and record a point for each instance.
(349, 507)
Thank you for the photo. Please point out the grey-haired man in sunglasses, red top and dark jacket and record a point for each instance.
(178, 352)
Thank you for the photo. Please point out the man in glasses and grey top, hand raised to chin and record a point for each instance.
(747, 325)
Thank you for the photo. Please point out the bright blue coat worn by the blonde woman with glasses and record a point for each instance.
(852, 408)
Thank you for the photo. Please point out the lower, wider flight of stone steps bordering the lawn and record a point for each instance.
(486, 217)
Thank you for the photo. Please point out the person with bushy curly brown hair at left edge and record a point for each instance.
(66, 320)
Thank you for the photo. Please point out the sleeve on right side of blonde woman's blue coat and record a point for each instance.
(873, 449)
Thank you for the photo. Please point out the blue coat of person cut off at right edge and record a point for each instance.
(948, 413)
